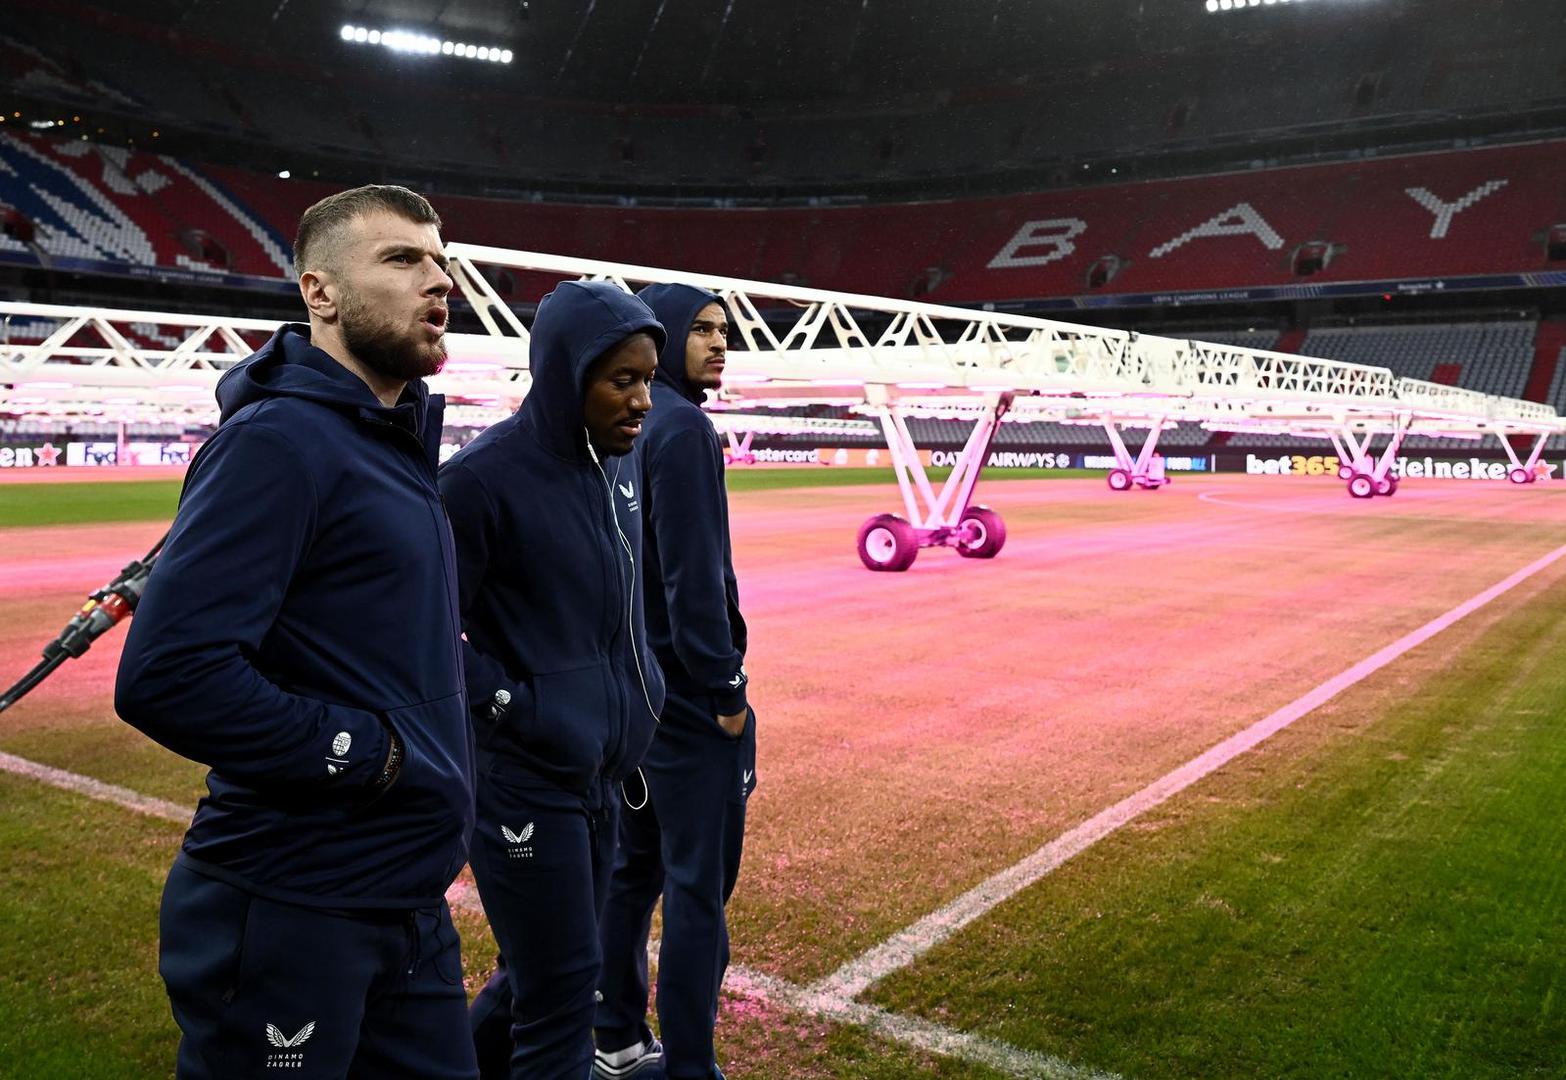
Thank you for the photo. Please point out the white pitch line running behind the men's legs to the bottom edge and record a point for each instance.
(1025, 1065)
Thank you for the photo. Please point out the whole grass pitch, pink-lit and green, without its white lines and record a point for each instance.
(1374, 893)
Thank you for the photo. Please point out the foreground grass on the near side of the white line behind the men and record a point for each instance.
(81, 996)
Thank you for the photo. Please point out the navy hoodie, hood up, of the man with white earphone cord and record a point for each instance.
(549, 553)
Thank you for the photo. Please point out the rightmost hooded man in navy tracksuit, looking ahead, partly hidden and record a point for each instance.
(701, 769)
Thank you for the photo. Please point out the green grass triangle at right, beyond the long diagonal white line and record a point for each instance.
(1376, 893)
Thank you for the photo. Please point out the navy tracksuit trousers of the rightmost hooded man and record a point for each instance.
(685, 848)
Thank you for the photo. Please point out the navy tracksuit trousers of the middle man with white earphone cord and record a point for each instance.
(541, 859)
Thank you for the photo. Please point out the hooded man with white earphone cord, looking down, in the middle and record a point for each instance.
(546, 508)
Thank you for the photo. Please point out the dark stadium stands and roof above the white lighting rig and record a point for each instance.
(1239, 173)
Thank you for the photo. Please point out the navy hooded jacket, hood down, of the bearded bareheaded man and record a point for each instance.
(305, 603)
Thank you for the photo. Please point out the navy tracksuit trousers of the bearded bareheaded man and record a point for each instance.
(264, 988)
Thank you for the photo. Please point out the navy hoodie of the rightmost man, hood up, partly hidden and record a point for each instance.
(693, 600)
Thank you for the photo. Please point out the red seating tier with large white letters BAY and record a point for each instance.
(1463, 214)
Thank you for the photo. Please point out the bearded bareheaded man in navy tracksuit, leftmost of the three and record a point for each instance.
(300, 636)
